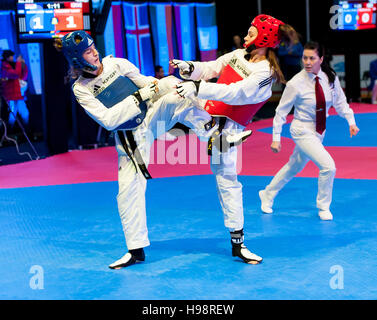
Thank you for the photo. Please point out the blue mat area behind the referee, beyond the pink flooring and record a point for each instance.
(337, 132)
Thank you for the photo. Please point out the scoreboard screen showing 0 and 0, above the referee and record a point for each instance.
(357, 15)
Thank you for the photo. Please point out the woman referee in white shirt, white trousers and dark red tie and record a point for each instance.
(312, 92)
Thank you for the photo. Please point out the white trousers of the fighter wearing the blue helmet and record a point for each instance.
(165, 113)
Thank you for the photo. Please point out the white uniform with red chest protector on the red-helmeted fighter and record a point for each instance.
(241, 90)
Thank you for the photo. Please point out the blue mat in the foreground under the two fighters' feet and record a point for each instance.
(73, 232)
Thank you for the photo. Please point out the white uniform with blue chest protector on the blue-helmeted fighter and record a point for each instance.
(98, 96)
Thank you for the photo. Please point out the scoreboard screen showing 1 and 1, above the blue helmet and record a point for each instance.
(40, 20)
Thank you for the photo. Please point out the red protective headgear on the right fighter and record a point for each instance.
(268, 31)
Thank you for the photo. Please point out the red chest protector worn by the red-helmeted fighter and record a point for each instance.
(242, 114)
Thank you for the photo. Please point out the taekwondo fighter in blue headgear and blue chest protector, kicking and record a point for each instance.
(114, 93)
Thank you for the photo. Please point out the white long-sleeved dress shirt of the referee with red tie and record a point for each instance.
(300, 93)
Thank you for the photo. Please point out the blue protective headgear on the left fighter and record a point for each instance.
(74, 45)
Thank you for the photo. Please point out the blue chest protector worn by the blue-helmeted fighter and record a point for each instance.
(117, 91)
